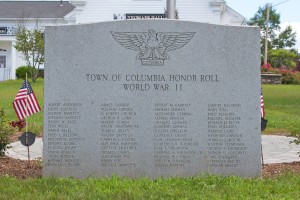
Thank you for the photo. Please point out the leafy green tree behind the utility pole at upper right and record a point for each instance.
(277, 39)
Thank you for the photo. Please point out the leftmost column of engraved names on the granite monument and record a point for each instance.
(63, 134)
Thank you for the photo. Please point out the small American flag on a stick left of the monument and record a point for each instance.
(25, 103)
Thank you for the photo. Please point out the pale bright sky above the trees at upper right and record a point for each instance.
(289, 11)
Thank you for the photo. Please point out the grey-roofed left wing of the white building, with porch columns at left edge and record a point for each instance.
(30, 14)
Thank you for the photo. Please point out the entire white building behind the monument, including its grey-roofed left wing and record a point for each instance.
(38, 14)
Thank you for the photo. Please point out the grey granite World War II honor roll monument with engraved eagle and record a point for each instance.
(152, 98)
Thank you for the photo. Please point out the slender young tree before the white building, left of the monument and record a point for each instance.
(31, 44)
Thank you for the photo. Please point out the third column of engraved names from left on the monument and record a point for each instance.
(173, 147)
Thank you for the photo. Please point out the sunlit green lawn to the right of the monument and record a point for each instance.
(282, 106)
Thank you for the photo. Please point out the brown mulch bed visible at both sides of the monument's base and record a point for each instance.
(21, 169)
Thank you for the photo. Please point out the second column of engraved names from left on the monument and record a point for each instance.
(118, 139)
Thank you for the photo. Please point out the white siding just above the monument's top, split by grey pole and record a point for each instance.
(104, 10)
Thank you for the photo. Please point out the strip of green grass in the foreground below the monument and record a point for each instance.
(198, 187)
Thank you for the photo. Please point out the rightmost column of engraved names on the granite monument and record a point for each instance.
(225, 144)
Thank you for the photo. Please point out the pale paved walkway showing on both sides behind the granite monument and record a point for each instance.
(276, 149)
